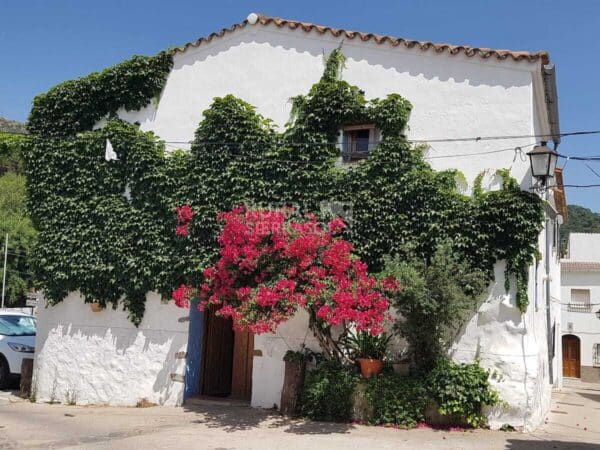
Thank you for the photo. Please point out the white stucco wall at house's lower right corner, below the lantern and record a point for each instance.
(514, 345)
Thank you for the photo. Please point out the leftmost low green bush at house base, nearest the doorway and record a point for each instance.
(328, 393)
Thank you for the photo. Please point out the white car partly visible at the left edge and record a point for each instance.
(17, 341)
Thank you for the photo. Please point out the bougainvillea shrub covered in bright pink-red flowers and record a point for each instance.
(274, 262)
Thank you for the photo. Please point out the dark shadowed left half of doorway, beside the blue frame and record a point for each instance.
(218, 355)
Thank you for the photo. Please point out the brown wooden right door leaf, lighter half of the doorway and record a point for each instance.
(243, 354)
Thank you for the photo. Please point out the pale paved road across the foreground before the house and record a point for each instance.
(573, 423)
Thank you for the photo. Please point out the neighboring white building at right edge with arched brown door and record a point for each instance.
(580, 303)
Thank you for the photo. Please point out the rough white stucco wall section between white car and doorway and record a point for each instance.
(101, 358)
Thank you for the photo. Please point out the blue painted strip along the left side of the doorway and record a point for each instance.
(193, 362)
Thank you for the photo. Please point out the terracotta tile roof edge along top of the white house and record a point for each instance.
(484, 53)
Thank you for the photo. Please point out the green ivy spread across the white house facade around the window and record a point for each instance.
(111, 249)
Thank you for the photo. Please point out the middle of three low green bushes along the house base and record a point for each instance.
(396, 400)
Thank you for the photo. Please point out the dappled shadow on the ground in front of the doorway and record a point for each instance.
(241, 418)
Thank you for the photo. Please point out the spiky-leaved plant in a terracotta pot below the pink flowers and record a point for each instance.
(368, 350)
